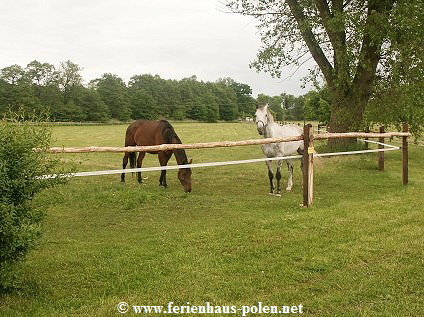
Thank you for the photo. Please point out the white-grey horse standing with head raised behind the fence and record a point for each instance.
(269, 129)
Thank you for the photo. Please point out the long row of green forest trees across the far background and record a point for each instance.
(59, 92)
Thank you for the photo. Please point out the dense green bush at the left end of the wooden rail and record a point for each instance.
(20, 217)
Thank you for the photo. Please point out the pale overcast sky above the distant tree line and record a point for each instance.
(171, 38)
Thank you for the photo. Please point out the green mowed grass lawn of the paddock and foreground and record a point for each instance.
(359, 251)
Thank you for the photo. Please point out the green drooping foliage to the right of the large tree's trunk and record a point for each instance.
(399, 95)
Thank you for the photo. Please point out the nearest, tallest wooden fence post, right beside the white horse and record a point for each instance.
(308, 170)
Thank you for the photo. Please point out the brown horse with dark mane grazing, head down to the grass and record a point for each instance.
(146, 132)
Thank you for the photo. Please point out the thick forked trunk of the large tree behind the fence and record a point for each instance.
(350, 88)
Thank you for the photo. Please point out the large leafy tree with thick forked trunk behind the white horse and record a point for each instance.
(350, 41)
